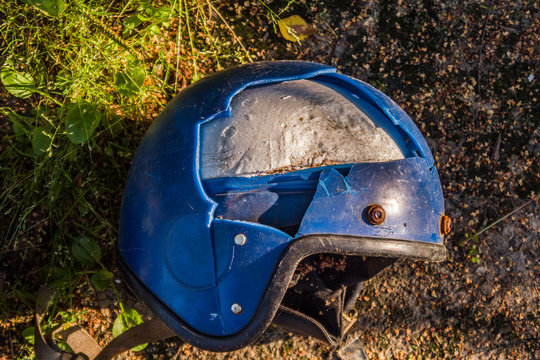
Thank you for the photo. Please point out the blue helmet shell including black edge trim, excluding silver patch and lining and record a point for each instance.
(179, 247)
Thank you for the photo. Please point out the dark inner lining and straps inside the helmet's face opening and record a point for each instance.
(323, 290)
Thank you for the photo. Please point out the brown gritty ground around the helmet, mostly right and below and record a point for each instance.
(467, 73)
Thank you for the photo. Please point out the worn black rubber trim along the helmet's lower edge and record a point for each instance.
(271, 299)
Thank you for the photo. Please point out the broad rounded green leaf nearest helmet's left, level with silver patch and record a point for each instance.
(81, 121)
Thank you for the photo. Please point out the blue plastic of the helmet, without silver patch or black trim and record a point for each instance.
(178, 236)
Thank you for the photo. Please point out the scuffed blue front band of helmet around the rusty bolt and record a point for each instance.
(406, 189)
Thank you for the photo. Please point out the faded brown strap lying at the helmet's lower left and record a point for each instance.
(81, 342)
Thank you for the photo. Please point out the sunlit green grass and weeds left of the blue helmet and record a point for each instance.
(81, 83)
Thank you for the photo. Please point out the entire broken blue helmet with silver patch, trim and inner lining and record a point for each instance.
(269, 193)
